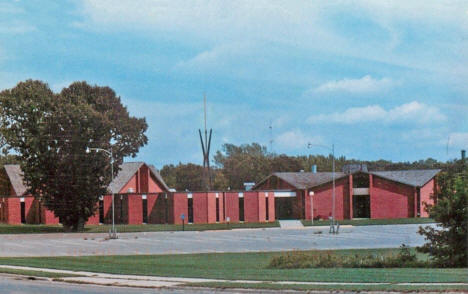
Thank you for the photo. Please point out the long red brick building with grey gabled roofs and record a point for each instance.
(142, 196)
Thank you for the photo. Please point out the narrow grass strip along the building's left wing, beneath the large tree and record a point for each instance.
(30, 229)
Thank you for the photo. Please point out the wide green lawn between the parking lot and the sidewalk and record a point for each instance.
(250, 266)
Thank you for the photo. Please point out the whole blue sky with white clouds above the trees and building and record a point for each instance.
(379, 79)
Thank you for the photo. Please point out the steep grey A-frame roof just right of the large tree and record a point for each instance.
(127, 171)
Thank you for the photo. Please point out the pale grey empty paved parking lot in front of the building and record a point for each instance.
(274, 239)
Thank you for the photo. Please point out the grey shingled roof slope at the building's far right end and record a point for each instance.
(415, 178)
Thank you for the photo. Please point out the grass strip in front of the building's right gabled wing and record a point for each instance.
(369, 222)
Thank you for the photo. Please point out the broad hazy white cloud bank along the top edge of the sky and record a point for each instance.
(308, 25)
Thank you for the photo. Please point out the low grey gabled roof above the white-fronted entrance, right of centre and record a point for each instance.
(305, 180)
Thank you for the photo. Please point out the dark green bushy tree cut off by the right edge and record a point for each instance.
(448, 245)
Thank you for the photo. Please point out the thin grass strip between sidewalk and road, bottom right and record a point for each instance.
(305, 287)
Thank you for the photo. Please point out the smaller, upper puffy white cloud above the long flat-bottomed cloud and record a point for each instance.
(365, 84)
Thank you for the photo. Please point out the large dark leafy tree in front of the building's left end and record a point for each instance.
(51, 133)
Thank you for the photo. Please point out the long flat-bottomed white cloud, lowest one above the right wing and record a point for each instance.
(413, 112)
